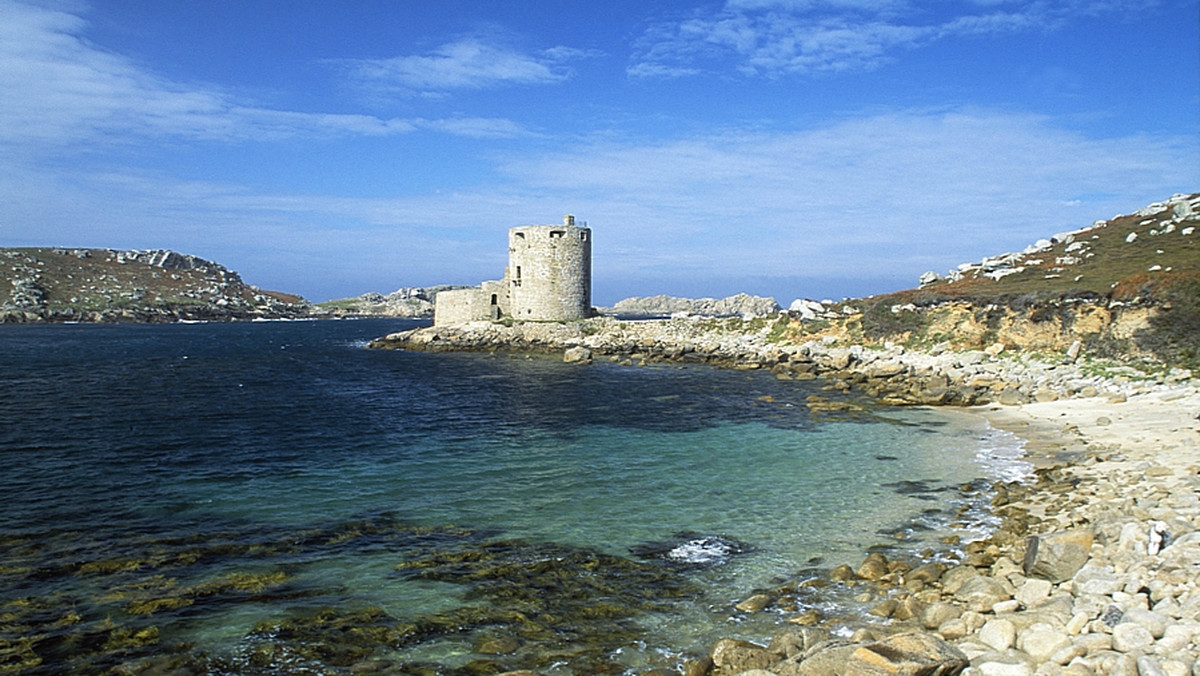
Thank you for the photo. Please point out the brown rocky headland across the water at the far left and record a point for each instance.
(104, 285)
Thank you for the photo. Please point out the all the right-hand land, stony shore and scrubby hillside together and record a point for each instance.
(1088, 354)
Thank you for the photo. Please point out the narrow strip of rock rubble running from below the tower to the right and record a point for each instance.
(893, 375)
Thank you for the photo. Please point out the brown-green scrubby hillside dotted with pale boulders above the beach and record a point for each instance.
(1127, 289)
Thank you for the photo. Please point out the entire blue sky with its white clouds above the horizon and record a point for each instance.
(788, 148)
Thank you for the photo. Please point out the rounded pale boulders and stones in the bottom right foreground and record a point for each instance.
(1078, 582)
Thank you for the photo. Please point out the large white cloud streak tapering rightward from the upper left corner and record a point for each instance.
(61, 89)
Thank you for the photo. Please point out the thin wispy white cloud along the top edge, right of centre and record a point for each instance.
(775, 38)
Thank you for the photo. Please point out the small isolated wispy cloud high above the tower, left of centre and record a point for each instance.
(471, 63)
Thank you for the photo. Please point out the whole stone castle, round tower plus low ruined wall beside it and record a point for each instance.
(549, 279)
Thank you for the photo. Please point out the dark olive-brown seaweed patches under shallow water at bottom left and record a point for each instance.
(525, 605)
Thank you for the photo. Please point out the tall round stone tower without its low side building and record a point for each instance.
(550, 272)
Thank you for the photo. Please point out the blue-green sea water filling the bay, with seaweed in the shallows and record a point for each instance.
(208, 490)
